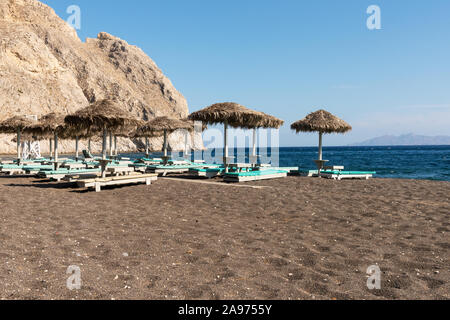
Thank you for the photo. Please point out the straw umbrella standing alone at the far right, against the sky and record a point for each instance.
(323, 122)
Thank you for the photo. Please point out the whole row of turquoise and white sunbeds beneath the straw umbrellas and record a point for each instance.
(87, 172)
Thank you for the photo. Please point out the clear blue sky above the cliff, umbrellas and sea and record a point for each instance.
(291, 57)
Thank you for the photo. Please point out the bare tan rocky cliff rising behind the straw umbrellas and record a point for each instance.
(45, 67)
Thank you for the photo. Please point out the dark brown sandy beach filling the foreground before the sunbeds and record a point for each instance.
(293, 238)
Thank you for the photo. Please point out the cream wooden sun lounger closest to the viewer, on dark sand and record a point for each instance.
(98, 183)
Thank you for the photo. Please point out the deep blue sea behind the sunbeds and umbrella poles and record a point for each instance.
(406, 162)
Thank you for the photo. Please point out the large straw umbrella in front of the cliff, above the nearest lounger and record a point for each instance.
(102, 116)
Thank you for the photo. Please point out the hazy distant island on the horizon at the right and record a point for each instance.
(405, 140)
